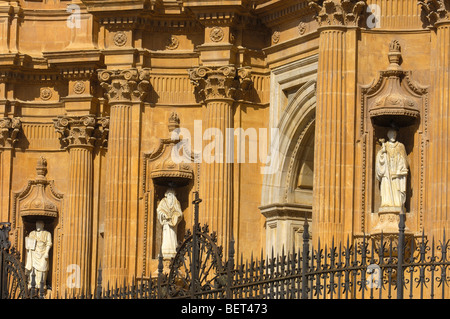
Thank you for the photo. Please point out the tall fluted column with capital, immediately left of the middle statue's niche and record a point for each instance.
(124, 90)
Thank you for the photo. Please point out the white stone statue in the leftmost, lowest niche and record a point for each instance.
(37, 245)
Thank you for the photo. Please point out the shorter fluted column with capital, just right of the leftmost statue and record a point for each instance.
(79, 135)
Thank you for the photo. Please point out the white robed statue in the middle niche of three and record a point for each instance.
(169, 215)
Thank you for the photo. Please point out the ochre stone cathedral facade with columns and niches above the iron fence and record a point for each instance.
(274, 111)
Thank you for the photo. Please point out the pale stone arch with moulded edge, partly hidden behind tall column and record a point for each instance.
(287, 193)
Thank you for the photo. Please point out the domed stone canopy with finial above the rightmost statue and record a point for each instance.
(394, 99)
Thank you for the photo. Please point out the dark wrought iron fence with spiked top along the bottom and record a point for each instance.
(368, 268)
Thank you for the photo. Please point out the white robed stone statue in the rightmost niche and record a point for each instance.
(391, 171)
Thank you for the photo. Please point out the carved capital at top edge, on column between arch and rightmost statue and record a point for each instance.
(338, 12)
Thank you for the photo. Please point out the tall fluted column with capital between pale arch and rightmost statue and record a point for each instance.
(335, 119)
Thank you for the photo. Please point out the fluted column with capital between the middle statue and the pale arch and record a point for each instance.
(218, 88)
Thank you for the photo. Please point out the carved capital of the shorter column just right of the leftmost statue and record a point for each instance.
(84, 131)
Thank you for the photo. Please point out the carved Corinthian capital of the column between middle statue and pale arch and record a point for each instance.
(222, 82)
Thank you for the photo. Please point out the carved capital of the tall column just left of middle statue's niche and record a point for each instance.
(129, 85)
